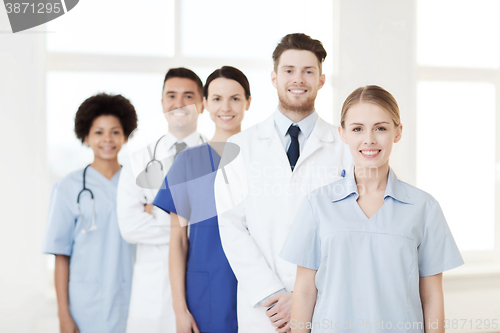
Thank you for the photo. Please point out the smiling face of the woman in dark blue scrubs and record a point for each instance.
(226, 103)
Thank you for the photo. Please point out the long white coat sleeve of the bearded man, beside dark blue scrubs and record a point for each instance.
(255, 278)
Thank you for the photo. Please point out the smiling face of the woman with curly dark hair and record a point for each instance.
(105, 137)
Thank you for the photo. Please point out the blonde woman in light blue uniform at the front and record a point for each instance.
(370, 248)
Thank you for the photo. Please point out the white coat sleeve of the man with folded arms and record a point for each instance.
(137, 226)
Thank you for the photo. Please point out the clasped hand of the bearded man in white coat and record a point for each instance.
(280, 313)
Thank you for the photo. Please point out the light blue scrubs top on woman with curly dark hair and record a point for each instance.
(100, 267)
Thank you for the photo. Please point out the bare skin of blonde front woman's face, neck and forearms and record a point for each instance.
(370, 134)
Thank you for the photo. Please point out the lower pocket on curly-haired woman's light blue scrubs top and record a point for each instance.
(85, 304)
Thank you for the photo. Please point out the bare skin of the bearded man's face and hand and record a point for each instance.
(297, 79)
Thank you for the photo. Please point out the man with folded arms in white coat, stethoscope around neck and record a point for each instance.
(140, 222)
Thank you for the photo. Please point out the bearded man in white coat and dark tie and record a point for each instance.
(258, 194)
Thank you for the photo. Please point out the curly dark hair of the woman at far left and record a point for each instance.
(104, 104)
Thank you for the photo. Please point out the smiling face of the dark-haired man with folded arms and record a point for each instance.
(177, 94)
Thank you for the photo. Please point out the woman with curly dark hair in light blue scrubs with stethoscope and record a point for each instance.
(93, 264)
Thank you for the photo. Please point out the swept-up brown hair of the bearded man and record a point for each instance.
(299, 41)
